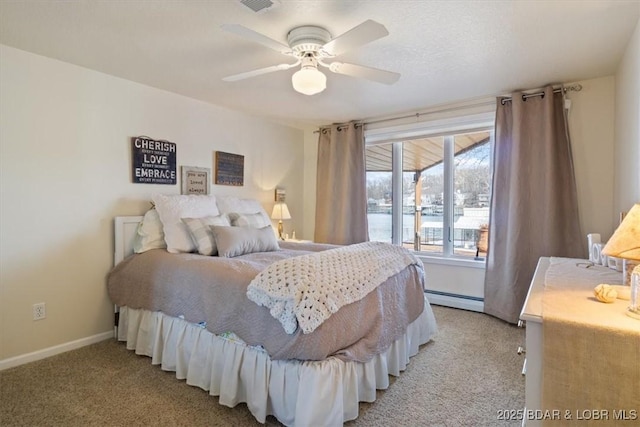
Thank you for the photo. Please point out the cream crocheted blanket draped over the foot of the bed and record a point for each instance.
(305, 290)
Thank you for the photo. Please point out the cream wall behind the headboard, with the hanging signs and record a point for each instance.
(65, 172)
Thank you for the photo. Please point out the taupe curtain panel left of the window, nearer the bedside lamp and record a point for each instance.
(341, 191)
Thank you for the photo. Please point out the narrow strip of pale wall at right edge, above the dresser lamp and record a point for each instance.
(627, 128)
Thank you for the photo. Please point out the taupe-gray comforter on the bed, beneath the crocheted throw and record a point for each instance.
(213, 290)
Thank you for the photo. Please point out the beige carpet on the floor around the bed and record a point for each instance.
(463, 377)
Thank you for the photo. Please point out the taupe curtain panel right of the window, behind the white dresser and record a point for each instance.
(534, 207)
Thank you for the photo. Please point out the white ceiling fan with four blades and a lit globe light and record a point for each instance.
(312, 46)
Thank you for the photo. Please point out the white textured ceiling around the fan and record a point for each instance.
(446, 51)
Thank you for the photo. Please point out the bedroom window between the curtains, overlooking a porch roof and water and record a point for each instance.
(430, 192)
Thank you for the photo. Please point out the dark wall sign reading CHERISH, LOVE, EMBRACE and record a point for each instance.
(153, 162)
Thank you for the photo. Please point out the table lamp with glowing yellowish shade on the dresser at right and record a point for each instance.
(625, 244)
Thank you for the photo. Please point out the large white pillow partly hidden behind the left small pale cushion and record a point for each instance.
(171, 208)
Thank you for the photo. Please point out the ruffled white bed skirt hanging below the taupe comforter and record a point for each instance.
(324, 393)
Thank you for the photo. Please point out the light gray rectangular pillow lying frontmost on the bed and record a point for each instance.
(235, 241)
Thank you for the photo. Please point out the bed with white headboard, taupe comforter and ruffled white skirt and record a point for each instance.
(316, 378)
